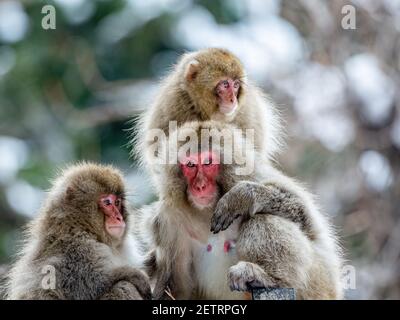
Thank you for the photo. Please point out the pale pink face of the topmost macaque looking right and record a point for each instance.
(227, 91)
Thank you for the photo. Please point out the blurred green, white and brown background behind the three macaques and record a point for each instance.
(71, 93)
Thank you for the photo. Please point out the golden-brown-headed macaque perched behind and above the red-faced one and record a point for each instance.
(209, 84)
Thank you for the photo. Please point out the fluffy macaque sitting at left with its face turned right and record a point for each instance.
(76, 248)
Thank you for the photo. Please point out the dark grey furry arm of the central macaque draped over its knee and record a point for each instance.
(249, 198)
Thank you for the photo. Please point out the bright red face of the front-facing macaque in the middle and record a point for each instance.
(201, 172)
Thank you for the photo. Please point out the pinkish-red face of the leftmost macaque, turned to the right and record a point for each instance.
(111, 206)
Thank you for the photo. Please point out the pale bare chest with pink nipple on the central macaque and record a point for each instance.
(211, 264)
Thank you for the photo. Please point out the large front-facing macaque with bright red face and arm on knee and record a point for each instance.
(215, 234)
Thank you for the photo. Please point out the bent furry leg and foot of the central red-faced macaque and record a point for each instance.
(273, 252)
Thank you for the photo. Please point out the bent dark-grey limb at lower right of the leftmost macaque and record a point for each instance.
(137, 278)
